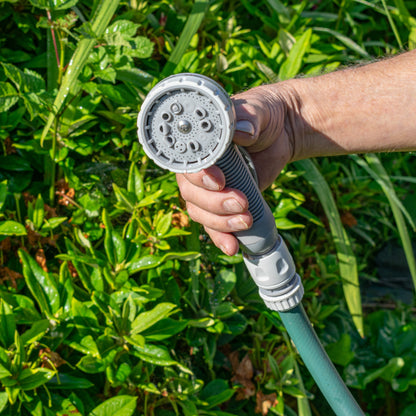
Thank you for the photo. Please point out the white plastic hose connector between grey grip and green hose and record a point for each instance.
(274, 272)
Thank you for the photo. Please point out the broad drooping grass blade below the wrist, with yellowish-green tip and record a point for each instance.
(347, 261)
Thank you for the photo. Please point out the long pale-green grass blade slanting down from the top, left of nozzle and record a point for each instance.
(99, 22)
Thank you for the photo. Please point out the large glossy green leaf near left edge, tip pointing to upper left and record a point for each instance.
(41, 284)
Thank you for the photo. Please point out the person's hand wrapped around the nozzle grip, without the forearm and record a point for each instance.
(261, 113)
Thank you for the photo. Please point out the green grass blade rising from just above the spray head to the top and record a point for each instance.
(191, 27)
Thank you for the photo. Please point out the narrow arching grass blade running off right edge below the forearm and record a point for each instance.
(374, 167)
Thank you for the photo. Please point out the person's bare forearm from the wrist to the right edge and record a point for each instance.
(370, 108)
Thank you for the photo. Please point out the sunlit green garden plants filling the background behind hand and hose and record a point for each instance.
(112, 302)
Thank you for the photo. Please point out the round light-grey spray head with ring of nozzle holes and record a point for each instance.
(186, 122)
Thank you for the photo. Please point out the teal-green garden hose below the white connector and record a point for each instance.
(318, 363)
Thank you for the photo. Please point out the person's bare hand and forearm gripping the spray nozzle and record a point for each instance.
(369, 108)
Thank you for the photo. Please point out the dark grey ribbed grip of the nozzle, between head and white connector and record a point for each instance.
(262, 236)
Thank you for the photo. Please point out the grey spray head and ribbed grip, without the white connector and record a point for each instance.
(186, 124)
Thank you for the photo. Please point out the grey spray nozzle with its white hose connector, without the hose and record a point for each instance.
(186, 124)
